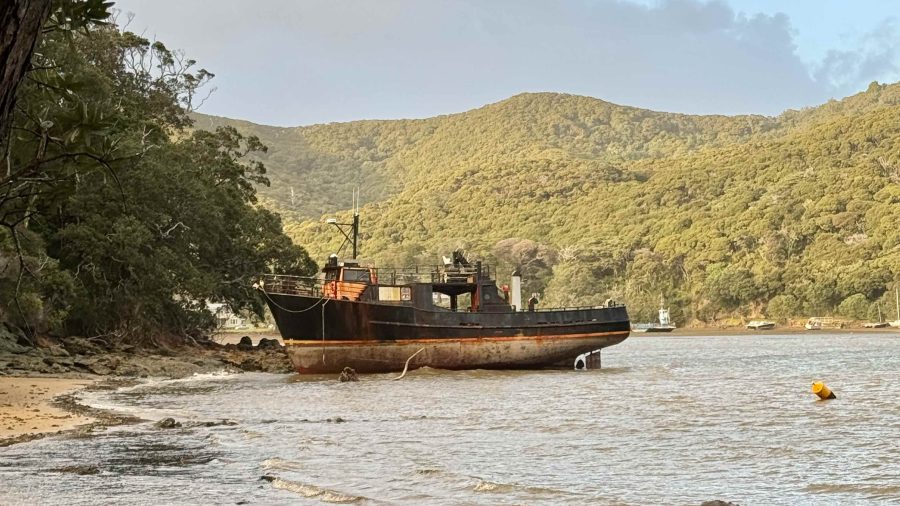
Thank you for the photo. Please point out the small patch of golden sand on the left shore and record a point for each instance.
(26, 406)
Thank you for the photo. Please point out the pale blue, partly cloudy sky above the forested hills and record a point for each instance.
(301, 62)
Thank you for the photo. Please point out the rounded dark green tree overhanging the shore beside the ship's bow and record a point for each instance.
(189, 235)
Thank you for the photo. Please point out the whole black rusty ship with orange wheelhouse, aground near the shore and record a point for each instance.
(374, 319)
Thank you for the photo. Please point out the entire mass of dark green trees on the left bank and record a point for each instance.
(119, 220)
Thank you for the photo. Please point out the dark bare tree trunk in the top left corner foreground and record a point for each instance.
(20, 25)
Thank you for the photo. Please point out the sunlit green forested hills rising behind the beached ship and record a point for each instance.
(717, 216)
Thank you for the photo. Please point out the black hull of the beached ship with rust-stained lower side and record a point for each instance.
(324, 335)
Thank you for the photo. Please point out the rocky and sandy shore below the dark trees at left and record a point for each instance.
(39, 385)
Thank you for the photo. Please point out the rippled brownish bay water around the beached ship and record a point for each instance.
(669, 420)
